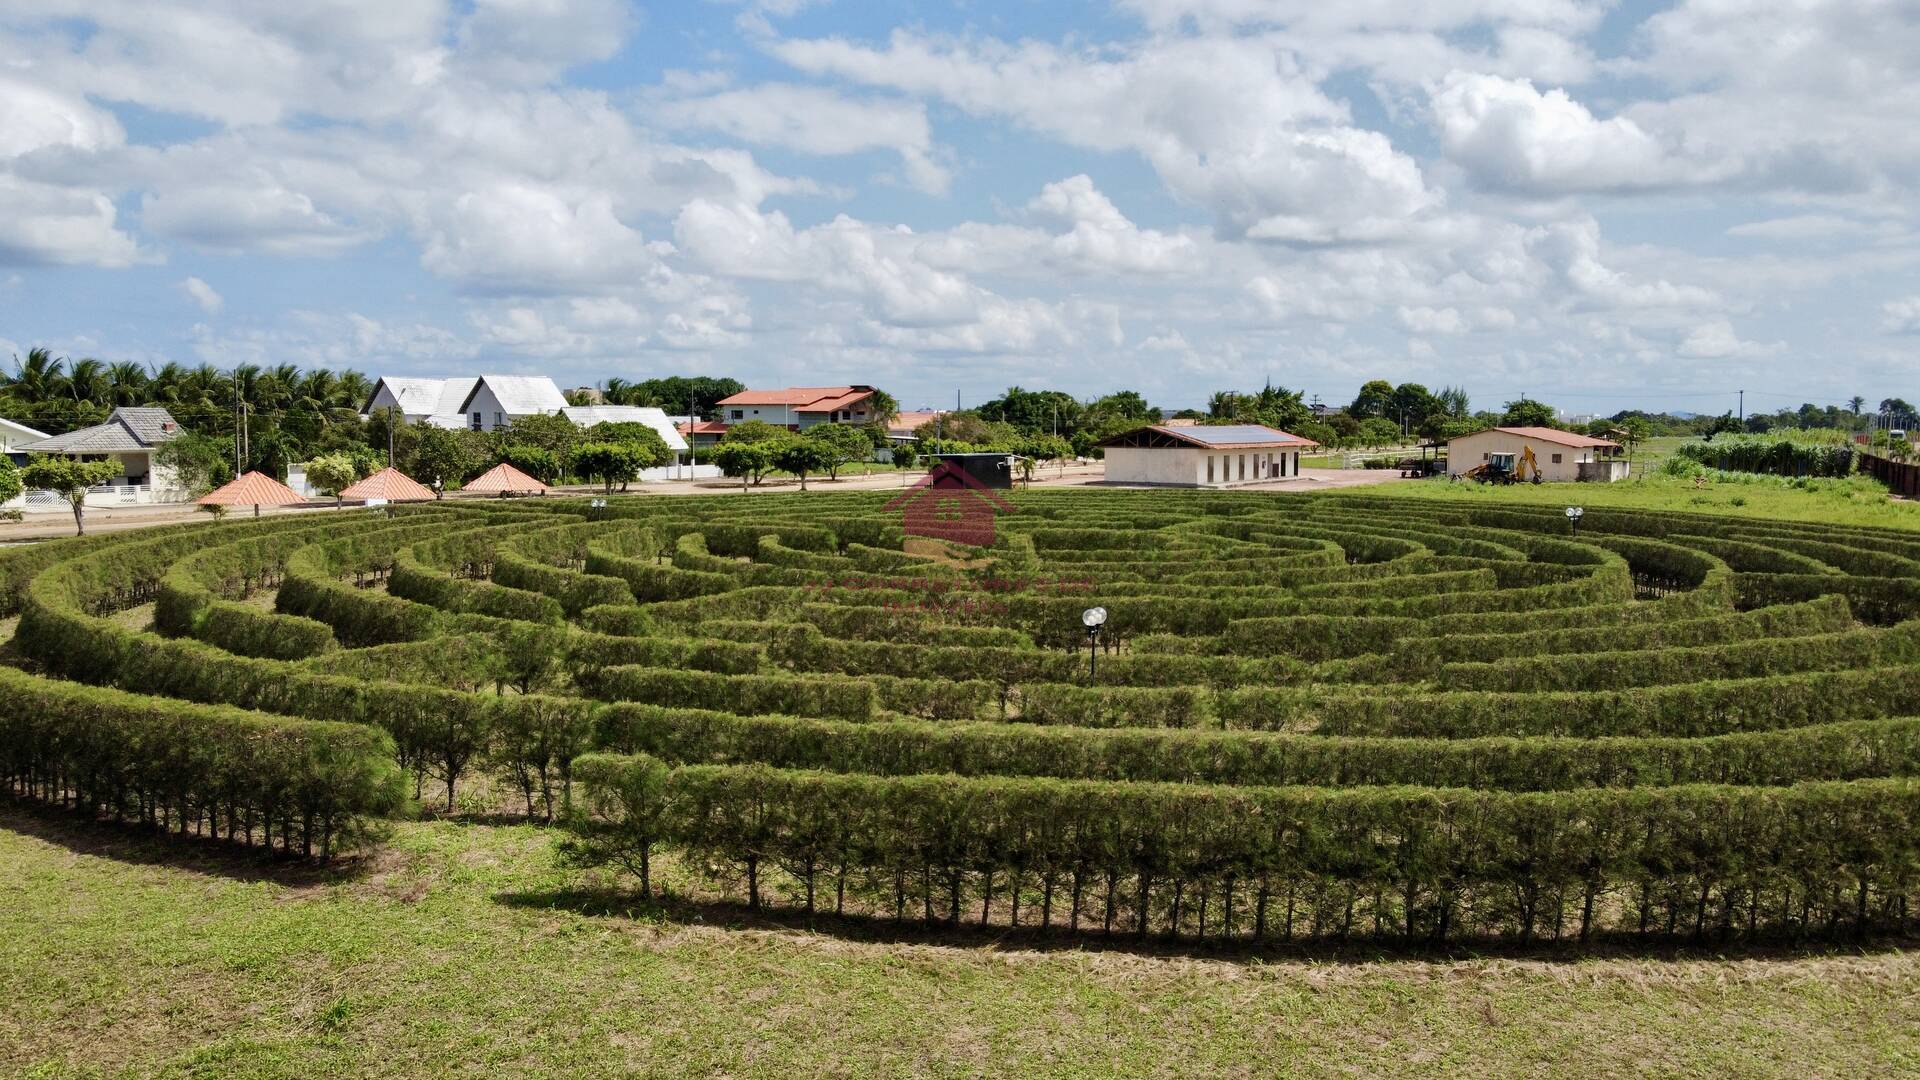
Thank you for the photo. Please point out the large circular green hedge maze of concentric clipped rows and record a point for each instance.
(1310, 718)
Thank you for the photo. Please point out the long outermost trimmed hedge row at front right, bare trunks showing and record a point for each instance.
(1276, 862)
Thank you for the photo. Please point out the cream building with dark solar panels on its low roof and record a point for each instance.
(1209, 456)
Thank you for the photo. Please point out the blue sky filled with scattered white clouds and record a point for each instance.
(1596, 205)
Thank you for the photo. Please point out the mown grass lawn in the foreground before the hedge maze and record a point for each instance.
(460, 952)
